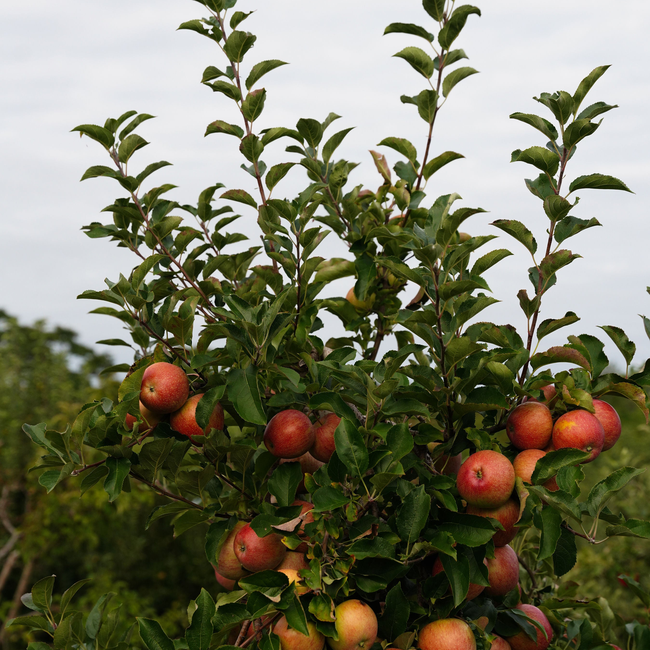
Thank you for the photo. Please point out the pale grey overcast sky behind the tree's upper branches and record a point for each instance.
(75, 61)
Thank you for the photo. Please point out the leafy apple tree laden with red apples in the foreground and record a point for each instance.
(412, 479)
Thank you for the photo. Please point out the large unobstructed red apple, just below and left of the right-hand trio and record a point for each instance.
(486, 479)
